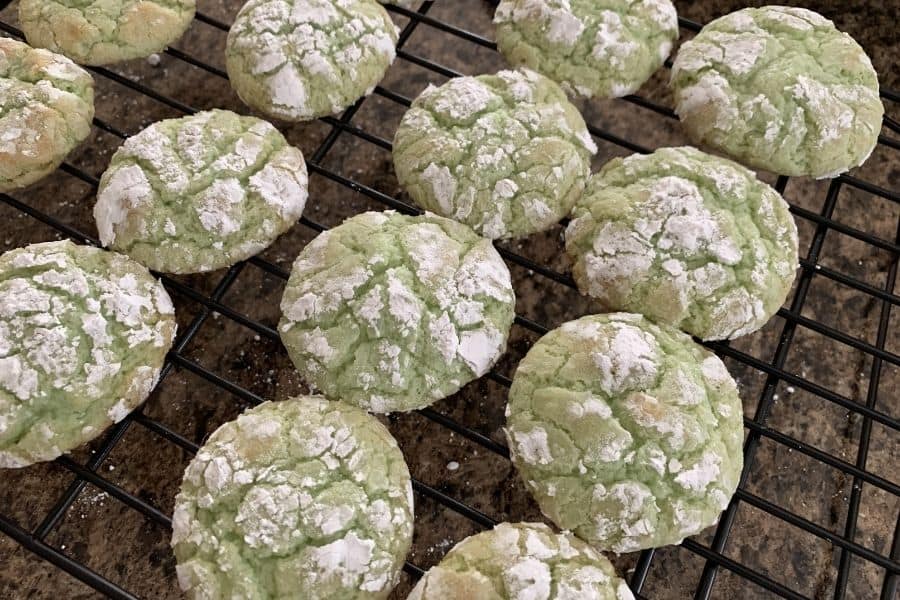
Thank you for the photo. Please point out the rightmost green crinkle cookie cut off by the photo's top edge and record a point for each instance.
(593, 49)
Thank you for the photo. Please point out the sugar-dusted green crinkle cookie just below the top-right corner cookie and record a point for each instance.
(685, 238)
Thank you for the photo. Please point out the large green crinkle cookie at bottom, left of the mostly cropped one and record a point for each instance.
(303, 499)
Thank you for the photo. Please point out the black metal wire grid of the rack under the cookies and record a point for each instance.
(847, 549)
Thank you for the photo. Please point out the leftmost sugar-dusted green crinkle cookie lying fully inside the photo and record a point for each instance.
(201, 192)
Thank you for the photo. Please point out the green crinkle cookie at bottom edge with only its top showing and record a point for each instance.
(515, 561)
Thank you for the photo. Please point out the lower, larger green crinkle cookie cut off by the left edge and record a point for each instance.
(83, 335)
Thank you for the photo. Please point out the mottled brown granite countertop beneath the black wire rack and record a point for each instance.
(132, 550)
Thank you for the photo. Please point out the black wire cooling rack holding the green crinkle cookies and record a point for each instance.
(872, 409)
